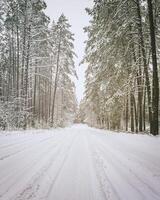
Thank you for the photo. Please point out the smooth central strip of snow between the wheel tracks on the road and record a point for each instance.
(77, 180)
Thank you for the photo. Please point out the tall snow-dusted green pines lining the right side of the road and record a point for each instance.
(123, 58)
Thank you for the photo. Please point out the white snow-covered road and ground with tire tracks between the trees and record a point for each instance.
(79, 163)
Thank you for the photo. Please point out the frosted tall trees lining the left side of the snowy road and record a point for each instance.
(36, 67)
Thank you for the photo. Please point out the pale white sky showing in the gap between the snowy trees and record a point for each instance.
(74, 10)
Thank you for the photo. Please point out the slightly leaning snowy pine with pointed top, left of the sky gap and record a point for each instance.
(64, 64)
